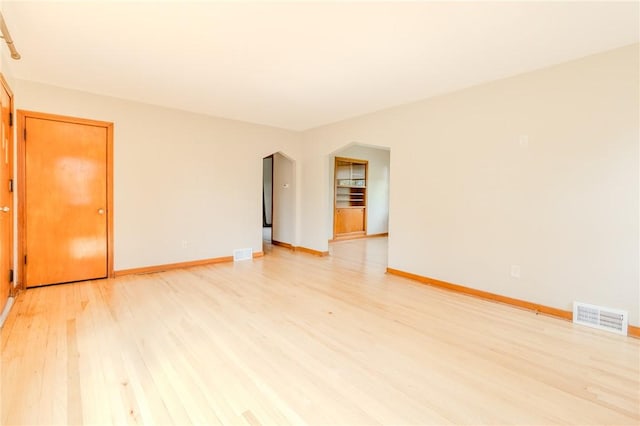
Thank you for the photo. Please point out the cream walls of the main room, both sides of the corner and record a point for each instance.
(467, 199)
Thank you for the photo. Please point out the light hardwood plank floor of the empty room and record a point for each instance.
(292, 339)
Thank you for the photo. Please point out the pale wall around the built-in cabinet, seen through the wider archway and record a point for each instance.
(377, 186)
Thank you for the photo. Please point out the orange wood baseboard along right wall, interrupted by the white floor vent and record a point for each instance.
(632, 331)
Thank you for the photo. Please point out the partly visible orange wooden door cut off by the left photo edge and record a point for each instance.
(6, 195)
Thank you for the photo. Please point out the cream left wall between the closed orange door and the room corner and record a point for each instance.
(179, 177)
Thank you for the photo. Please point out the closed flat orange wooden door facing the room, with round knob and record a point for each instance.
(66, 199)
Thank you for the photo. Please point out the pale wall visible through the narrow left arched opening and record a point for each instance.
(284, 199)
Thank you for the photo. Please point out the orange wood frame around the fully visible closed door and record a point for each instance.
(22, 116)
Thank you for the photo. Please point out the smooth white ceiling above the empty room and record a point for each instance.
(305, 64)
